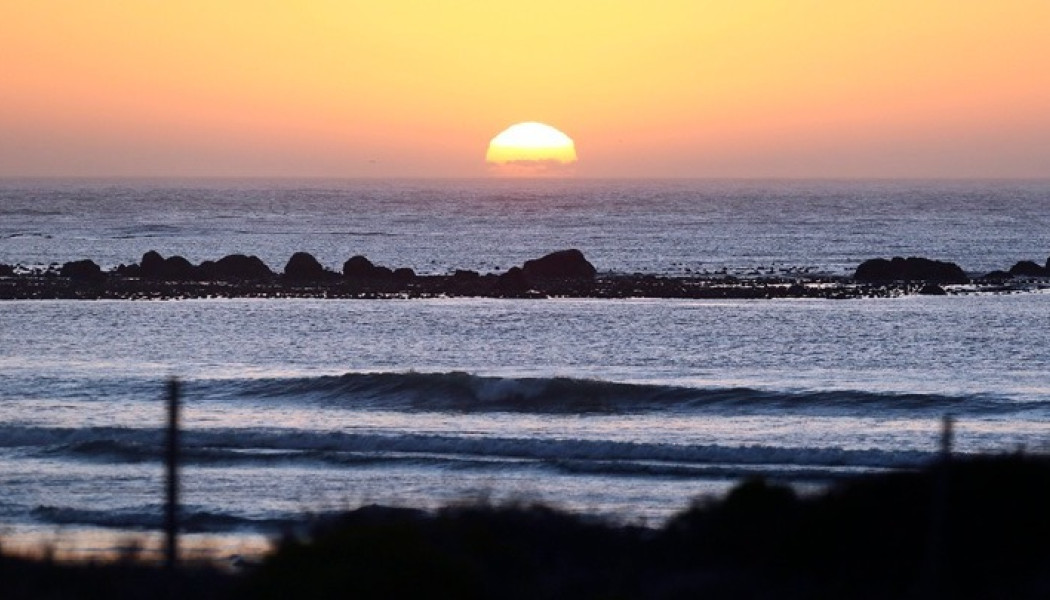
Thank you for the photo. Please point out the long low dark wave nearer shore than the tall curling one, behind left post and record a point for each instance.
(569, 456)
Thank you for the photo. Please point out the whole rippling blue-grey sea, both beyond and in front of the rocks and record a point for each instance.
(629, 409)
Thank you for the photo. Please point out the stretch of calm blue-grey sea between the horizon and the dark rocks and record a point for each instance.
(491, 225)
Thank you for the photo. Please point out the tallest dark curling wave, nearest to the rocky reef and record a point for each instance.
(465, 392)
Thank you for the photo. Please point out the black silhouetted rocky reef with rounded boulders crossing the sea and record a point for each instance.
(564, 274)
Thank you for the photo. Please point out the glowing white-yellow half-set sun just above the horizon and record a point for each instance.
(532, 149)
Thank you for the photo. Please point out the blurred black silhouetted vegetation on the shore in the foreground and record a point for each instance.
(974, 529)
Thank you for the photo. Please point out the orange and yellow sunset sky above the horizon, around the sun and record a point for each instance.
(743, 89)
